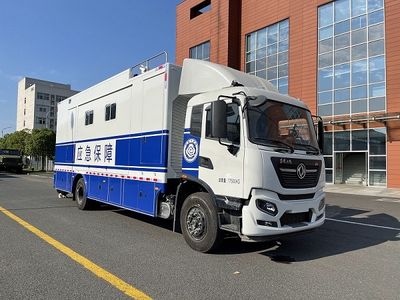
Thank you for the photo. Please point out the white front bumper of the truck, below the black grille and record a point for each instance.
(293, 215)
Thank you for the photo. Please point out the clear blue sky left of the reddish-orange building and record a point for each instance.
(77, 42)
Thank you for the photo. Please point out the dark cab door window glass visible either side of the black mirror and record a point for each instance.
(233, 123)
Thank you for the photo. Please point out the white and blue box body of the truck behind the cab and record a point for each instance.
(123, 157)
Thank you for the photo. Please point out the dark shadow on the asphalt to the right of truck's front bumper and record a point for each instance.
(335, 237)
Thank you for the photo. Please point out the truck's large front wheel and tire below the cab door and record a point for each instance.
(199, 223)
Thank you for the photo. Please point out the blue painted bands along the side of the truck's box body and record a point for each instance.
(134, 152)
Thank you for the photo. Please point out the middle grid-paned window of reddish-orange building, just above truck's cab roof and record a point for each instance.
(267, 54)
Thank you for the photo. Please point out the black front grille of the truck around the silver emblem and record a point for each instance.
(286, 169)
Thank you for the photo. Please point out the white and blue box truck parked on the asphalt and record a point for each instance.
(213, 149)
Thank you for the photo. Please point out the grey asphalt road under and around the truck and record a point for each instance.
(354, 255)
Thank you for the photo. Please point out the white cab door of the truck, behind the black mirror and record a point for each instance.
(221, 161)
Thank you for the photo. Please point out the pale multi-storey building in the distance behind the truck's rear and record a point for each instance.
(37, 102)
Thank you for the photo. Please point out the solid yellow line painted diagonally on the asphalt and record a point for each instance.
(97, 270)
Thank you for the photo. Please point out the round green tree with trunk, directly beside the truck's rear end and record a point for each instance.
(41, 144)
